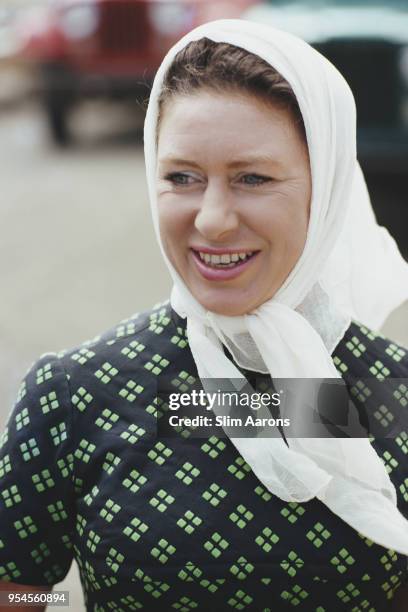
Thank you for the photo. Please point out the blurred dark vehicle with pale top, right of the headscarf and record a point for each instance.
(368, 42)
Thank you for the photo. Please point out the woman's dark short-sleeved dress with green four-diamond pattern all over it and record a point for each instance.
(182, 523)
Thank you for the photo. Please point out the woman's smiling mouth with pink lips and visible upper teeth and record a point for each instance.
(223, 266)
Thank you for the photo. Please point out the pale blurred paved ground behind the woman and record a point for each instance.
(77, 252)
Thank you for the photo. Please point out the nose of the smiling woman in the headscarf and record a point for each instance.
(217, 214)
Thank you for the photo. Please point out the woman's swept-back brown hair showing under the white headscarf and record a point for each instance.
(221, 67)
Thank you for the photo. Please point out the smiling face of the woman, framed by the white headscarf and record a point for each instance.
(233, 191)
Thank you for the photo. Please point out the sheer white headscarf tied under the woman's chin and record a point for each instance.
(350, 268)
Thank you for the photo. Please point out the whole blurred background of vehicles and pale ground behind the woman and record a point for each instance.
(77, 249)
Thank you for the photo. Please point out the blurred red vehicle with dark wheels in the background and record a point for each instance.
(107, 47)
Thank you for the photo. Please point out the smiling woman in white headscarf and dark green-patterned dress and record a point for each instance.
(260, 211)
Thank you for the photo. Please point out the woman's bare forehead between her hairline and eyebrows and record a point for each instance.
(240, 127)
